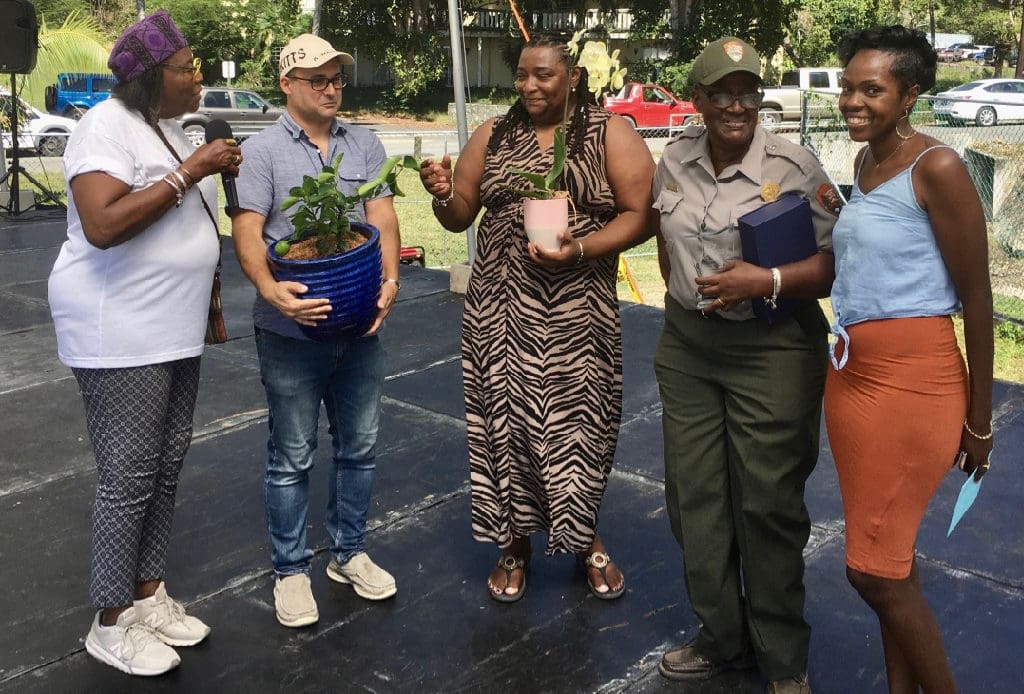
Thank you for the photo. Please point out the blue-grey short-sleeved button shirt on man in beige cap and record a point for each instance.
(275, 161)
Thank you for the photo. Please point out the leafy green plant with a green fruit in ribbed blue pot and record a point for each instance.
(335, 257)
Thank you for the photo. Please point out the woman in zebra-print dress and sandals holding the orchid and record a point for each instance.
(542, 349)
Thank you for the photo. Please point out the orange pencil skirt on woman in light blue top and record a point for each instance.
(894, 415)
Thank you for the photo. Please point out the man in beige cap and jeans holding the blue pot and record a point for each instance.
(300, 374)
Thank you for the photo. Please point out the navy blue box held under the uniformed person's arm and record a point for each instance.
(777, 234)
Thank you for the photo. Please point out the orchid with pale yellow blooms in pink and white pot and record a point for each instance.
(546, 203)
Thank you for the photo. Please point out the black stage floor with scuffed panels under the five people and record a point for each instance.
(442, 633)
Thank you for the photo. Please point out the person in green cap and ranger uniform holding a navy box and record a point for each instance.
(742, 400)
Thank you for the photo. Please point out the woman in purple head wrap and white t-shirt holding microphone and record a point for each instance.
(131, 294)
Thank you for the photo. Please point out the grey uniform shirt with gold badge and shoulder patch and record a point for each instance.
(699, 210)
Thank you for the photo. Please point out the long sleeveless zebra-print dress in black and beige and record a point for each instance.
(542, 358)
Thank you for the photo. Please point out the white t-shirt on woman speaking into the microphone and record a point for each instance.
(145, 301)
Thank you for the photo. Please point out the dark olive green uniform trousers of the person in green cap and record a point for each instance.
(742, 419)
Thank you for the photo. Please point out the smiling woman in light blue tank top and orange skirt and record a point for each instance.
(901, 408)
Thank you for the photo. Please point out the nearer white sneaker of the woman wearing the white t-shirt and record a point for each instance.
(131, 646)
